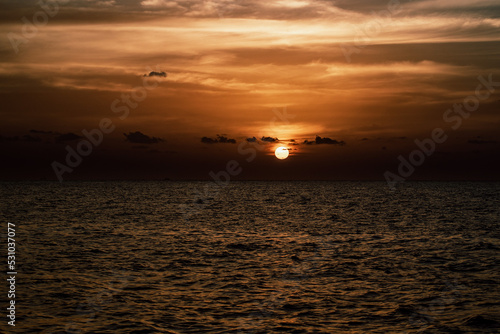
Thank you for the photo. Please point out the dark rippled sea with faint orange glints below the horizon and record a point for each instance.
(254, 257)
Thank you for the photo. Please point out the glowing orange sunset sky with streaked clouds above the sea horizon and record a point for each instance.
(232, 67)
